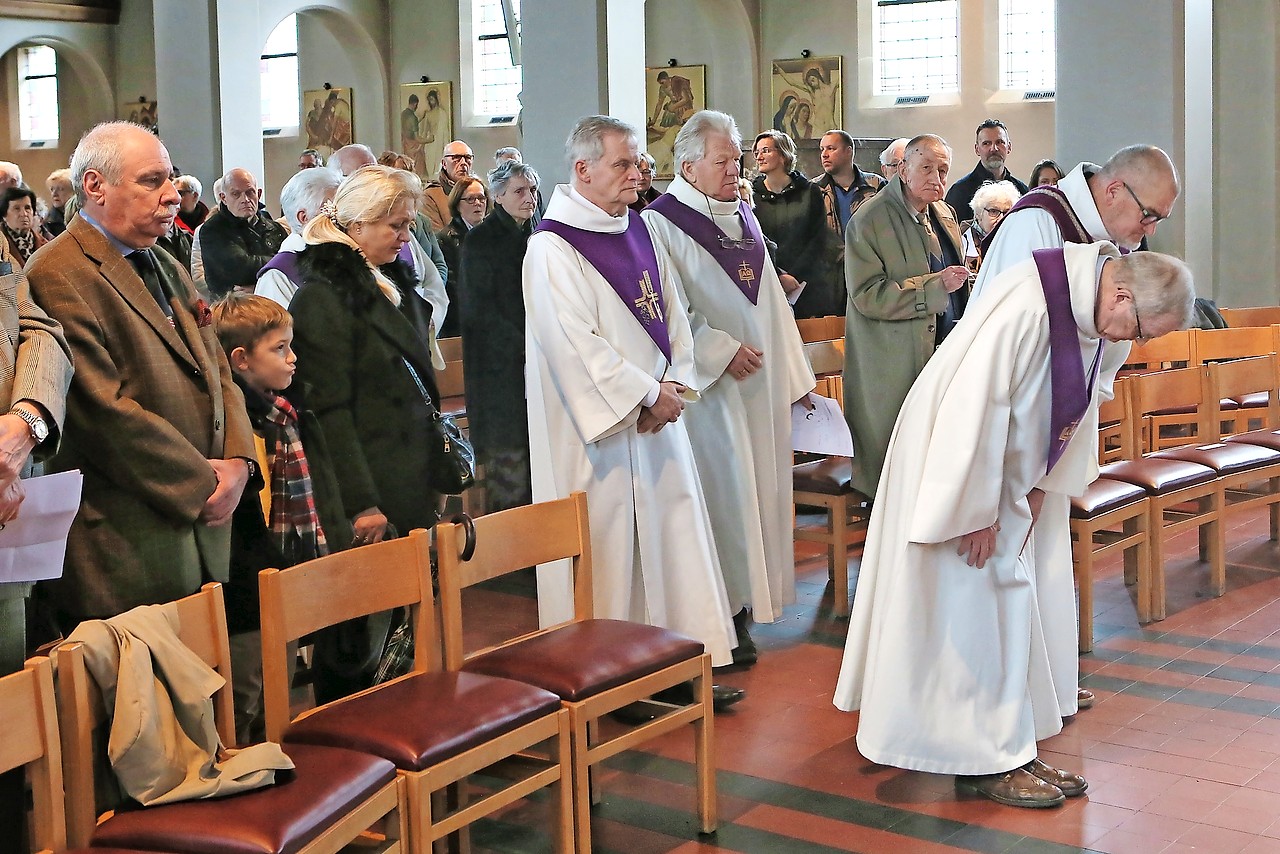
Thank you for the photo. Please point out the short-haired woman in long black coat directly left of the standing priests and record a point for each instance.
(493, 336)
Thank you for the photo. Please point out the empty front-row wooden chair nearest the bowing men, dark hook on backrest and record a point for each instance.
(595, 666)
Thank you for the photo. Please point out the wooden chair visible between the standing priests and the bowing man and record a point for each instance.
(828, 483)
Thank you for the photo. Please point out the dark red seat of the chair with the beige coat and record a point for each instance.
(327, 783)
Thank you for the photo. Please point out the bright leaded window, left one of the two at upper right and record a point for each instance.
(917, 48)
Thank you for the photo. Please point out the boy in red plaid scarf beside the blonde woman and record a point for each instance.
(296, 515)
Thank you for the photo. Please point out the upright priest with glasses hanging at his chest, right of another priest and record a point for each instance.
(751, 368)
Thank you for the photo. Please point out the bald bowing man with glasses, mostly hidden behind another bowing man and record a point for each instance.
(1091, 204)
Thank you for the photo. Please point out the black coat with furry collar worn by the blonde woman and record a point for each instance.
(353, 346)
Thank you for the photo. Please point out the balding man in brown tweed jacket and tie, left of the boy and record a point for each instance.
(154, 419)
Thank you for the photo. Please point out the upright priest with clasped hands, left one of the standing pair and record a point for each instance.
(610, 368)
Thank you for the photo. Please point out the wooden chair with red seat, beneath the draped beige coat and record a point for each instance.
(331, 800)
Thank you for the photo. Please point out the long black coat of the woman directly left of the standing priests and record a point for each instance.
(493, 334)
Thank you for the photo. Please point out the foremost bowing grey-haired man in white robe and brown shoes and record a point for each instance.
(947, 656)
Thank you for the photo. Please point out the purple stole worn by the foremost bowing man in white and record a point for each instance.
(1071, 395)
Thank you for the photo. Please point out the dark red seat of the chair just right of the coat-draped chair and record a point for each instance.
(451, 713)
